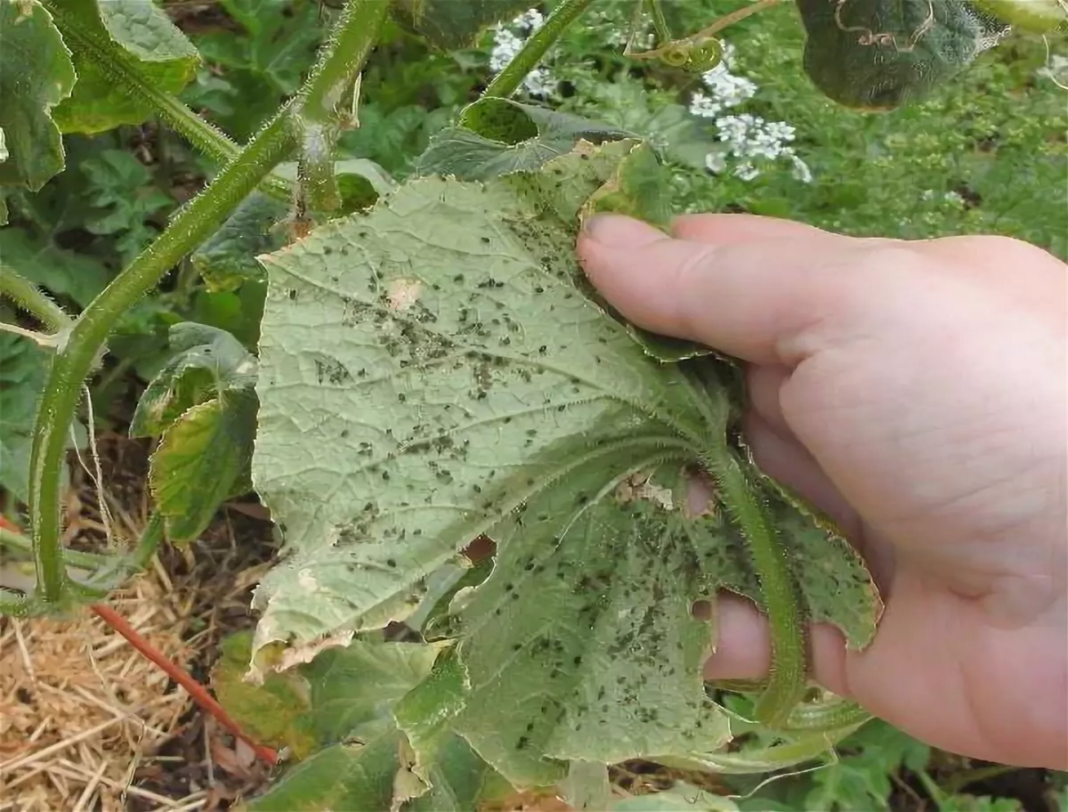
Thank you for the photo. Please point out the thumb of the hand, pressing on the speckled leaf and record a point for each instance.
(751, 294)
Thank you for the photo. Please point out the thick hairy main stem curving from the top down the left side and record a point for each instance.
(357, 32)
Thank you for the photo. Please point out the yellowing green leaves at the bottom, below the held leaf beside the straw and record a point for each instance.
(336, 716)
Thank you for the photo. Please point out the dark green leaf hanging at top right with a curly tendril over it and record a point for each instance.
(877, 55)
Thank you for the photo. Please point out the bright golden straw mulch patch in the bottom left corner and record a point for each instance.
(81, 710)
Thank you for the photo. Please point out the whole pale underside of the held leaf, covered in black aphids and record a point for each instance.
(438, 369)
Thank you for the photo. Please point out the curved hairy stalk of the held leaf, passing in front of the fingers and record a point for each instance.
(787, 682)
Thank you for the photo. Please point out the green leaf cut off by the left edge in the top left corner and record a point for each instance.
(36, 75)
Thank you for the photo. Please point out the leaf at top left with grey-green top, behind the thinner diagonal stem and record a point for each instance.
(136, 36)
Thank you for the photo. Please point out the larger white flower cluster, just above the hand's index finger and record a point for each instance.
(747, 140)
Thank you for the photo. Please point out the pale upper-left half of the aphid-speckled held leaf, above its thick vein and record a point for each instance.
(419, 369)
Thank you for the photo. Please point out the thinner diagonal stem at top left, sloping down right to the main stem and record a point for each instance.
(205, 136)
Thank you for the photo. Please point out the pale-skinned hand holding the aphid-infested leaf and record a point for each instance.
(918, 393)
